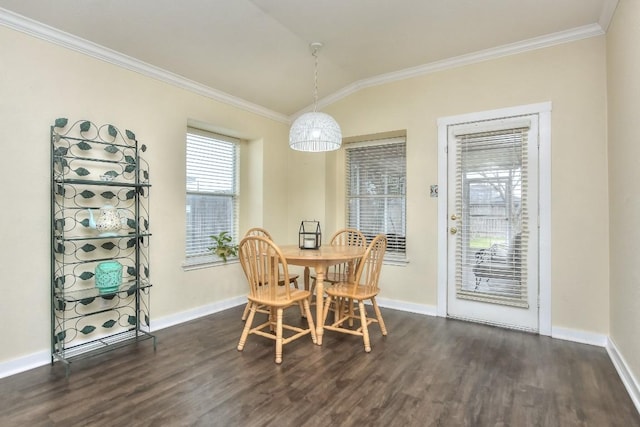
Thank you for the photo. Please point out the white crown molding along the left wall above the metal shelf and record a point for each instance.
(69, 41)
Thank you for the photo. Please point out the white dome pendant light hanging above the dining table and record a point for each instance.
(315, 131)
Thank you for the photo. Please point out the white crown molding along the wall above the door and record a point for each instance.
(549, 40)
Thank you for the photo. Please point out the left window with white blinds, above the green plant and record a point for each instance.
(212, 192)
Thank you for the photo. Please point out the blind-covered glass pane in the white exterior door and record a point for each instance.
(491, 196)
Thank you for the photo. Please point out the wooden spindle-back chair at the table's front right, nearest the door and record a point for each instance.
(364, 287)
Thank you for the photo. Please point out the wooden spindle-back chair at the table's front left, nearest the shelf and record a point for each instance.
(263, 264)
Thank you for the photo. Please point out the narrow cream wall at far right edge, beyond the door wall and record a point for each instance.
(623, 62)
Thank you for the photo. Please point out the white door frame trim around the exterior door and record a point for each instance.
(544, 134)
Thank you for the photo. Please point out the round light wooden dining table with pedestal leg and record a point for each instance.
(320, 259)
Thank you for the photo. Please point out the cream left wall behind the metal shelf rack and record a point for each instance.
(39, 82)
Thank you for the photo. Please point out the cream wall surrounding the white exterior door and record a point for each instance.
(571, 76)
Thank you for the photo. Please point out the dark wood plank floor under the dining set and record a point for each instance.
(426, 372)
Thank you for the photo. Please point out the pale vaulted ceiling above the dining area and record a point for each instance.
(256, 52)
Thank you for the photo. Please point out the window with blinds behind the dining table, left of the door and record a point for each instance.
(376, 191)
